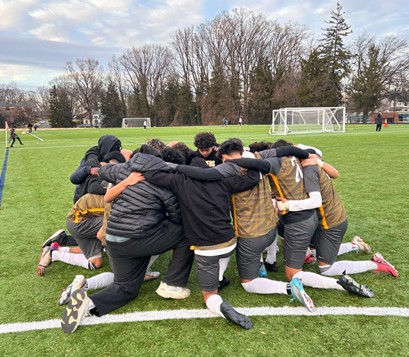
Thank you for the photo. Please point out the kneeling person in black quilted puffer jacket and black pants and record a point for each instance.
(145, 220)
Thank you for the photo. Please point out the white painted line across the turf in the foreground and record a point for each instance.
(204, 313)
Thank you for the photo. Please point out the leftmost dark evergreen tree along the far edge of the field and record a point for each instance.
(60, 109)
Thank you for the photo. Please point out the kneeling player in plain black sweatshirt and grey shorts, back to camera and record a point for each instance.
(205, 210)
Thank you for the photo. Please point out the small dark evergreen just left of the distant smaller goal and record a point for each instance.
(112, 108)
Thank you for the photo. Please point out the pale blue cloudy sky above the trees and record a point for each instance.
(38, 37)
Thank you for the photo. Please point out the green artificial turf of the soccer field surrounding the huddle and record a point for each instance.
(37, 196)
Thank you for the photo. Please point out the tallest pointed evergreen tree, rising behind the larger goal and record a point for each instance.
(334, 56)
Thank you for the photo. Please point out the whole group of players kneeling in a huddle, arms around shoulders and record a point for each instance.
(204, 205)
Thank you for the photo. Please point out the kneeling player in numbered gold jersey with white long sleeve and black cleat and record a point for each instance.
(298, 213)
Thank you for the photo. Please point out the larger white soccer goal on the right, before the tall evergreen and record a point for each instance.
(306, 120)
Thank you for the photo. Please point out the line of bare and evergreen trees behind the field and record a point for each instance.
(240, 64)
